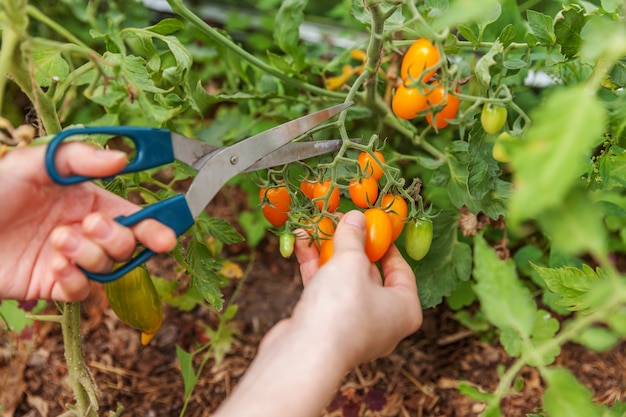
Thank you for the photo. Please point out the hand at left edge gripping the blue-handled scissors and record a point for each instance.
(47, 229)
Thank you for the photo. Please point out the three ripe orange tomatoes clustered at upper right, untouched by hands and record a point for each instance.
(416, 95)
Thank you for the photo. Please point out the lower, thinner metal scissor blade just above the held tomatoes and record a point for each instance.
(297, 152)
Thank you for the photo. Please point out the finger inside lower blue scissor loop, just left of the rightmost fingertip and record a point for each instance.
(116, 240)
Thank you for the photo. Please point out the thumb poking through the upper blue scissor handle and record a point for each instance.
(77, 158)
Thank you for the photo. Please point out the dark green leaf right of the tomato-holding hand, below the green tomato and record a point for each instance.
(448, 261)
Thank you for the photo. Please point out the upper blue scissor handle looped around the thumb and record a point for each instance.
(153, 148)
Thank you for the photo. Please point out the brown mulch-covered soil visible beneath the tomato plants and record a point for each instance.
(419, 379)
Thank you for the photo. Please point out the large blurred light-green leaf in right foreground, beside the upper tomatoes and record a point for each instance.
(555, 152)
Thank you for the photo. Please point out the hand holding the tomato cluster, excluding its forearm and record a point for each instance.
(348, 302)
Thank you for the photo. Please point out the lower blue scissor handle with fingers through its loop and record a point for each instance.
(173, 212)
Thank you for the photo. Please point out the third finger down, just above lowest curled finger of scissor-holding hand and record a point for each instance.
(80, 250)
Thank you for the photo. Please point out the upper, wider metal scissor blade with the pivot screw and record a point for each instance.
(230, 161)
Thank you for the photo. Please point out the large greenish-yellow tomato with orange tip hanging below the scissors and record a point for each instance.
(135, 300)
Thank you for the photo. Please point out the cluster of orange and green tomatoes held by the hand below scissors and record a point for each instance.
(385, 217)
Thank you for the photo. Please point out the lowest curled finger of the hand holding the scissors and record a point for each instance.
(70, 284)
